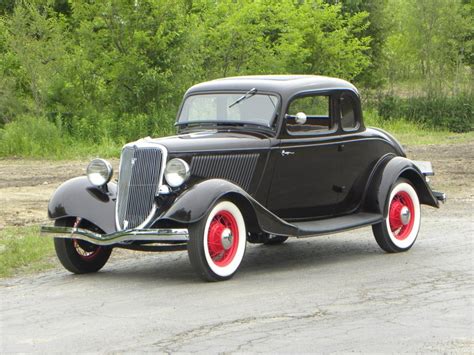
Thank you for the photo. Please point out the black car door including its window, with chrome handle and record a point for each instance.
(306, 160)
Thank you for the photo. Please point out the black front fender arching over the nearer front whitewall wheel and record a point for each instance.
(193, 204)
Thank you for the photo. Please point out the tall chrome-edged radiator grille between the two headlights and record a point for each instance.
(139, 179)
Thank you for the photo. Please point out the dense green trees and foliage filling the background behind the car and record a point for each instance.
(115, 70)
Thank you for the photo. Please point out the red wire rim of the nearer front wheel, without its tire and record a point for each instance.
(223, 238)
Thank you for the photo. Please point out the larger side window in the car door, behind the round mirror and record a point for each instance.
(316, 109)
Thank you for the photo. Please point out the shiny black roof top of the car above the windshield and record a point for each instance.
(286, 85)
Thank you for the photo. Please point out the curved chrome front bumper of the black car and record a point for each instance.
(164, 236)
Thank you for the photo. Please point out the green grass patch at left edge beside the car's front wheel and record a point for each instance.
(23, 250)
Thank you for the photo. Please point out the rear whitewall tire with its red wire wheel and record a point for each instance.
(400, 228)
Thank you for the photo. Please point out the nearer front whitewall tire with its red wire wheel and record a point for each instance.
(217, 242)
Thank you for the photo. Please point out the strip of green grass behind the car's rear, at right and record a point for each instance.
(413, 134)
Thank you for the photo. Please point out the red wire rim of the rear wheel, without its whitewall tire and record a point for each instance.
(401, 215)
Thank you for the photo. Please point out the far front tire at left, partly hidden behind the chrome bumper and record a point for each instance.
(78, 256)
